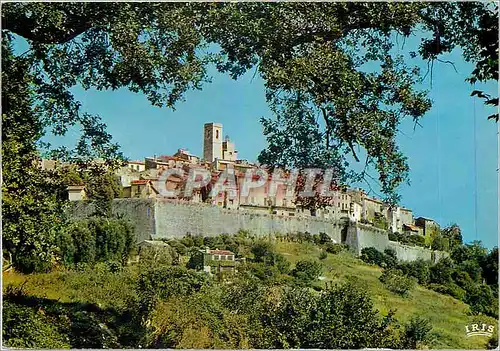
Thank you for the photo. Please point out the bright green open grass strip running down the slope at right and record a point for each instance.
(448, 316)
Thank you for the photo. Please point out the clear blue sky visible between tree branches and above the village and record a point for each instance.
(440, 153)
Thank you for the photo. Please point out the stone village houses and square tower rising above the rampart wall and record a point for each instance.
(139, 179)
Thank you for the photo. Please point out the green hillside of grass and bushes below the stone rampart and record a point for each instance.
(269, 303)
